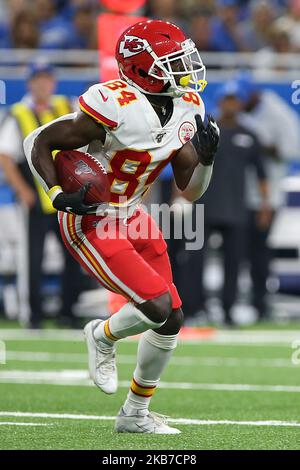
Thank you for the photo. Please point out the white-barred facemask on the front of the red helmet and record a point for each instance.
(183, 70)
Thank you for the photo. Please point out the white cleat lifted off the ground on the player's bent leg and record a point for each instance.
(102, 360)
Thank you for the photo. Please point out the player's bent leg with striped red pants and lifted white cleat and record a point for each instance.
(116, 264)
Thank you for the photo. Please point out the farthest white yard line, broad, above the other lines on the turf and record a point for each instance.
(223, 337)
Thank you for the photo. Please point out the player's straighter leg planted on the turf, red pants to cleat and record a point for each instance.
(154, 352)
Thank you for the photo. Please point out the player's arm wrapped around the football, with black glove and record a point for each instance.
(67, 134)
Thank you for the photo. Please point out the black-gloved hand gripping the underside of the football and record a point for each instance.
(74, 202)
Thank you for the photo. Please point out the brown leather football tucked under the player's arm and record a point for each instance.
(74, 169)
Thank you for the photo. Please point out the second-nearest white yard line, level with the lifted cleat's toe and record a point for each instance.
(80, 378)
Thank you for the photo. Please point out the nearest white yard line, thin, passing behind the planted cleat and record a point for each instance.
(183, 421)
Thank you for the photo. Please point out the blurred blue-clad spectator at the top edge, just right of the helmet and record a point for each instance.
(225, 31)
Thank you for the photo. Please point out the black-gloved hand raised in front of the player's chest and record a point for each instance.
(206, 139)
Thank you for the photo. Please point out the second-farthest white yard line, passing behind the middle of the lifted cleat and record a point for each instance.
(209, 361)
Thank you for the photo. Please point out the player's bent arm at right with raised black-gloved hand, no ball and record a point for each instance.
(192, 166)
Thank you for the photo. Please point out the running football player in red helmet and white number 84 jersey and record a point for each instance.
(151, 116)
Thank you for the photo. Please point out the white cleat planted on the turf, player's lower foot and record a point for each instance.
(150, 423)
